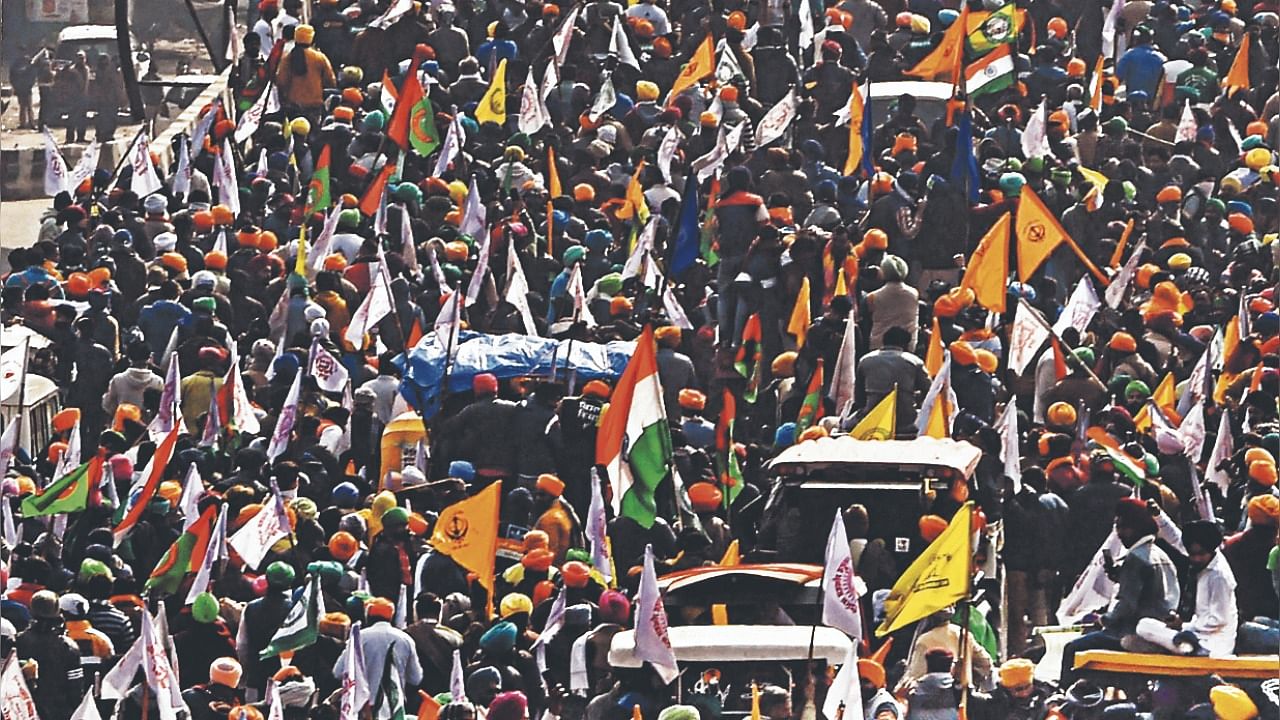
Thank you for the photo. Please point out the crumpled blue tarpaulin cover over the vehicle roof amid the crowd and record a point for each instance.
(505, 357)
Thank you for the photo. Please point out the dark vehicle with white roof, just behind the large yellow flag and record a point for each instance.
(894, 479)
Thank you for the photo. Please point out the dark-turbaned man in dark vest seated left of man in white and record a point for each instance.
(1148, 585)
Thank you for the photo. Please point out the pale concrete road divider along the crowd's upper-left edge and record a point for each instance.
(22, 170)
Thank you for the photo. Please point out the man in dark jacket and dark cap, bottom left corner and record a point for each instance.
(61, 685)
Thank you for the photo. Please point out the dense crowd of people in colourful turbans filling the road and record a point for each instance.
(1067, 258)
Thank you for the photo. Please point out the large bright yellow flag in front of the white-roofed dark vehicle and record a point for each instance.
(940, 577)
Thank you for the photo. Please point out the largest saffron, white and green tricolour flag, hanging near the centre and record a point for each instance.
(634, 443)
